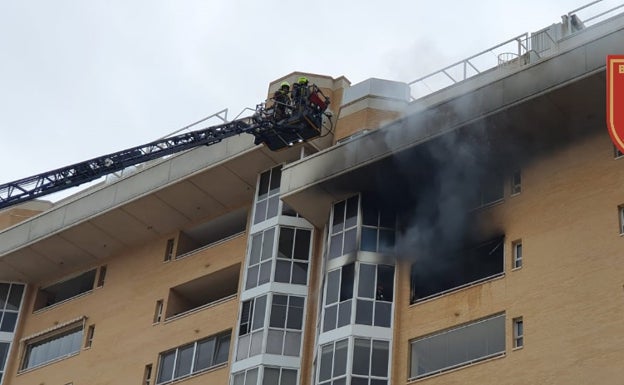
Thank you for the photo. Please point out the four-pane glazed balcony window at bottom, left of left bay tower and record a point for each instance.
(193, 358)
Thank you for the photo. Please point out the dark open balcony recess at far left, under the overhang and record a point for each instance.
(65, 290)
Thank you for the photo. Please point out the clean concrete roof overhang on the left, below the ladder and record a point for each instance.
(158, 199)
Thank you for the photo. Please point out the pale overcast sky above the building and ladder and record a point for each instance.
(80, 79)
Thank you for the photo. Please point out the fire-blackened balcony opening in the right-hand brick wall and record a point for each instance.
(437, 274)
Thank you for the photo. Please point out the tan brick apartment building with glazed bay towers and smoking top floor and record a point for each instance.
(467, 236)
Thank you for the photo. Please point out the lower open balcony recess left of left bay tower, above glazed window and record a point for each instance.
(202, 291)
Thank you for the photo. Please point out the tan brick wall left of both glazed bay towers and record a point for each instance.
(122, 310)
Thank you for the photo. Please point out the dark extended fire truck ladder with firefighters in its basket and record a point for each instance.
(297, 122)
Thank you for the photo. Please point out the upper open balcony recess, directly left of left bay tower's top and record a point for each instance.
(208, 233)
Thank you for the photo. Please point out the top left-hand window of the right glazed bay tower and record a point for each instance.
(343, 231)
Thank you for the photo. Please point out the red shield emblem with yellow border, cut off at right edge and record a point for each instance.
(615, 99)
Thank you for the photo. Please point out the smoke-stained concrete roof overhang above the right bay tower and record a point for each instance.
(553, 100)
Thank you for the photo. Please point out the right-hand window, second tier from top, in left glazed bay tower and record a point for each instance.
(293, 253)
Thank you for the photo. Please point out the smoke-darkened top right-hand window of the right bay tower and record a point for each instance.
(377, 228)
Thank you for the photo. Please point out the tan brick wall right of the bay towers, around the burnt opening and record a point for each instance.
(569, 290)
